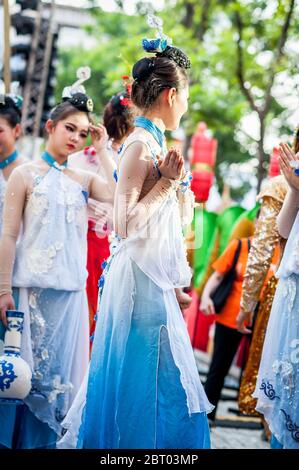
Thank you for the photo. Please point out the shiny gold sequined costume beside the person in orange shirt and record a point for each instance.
(264, 243)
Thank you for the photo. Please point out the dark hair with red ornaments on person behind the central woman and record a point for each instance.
(119, 116)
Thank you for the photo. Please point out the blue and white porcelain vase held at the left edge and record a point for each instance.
(15, 373)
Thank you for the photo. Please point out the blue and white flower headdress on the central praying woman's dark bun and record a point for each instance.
(161, 46)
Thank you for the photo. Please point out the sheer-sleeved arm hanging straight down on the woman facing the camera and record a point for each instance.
(14, 203)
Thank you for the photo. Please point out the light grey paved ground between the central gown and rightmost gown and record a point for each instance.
(233, 435)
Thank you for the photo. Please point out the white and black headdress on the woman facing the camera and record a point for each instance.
(76, 93)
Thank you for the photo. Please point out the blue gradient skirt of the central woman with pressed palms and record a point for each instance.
(136, 400)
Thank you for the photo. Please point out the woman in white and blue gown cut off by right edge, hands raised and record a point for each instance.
(277, 388)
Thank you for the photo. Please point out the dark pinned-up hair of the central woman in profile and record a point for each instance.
(155, 74)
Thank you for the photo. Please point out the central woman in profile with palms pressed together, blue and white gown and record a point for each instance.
(143, 388)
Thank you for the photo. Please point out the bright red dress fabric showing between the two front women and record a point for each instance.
(97, 252)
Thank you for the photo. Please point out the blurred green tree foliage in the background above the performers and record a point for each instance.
(242, 53)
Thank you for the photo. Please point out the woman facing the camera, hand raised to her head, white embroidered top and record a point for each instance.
(44, 274)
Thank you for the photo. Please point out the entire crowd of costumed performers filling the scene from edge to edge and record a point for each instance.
(92, 251)
